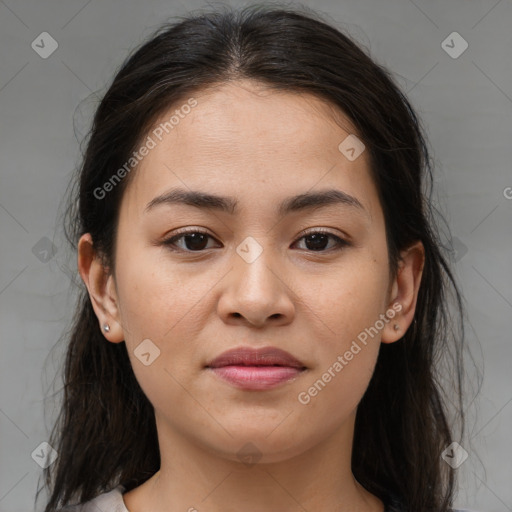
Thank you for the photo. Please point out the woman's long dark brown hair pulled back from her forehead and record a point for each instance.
(105, 433)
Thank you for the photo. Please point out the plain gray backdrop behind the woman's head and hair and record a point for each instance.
(466, 106)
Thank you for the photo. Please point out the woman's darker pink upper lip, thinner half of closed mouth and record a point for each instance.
(247, 356)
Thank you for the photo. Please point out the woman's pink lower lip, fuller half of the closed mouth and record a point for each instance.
(256, 377)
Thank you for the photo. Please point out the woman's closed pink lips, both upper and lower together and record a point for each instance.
(256, 369)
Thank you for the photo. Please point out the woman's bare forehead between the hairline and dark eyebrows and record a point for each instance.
(242, 139)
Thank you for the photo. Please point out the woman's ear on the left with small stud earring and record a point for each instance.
(101, 286)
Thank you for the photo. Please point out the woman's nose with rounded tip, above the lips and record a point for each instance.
(257, 293)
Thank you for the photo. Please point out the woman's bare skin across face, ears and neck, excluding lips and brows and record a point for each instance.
(259, 146)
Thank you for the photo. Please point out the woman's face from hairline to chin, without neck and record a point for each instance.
(259, 278)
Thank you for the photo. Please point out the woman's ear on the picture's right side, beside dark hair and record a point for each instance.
(404, 292)
